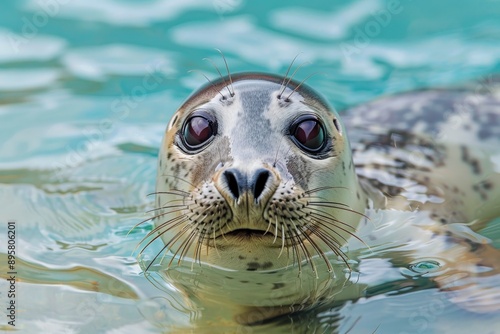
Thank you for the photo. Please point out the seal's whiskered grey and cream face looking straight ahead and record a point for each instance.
(256, 172)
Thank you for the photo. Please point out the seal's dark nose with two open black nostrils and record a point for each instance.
(238, 183)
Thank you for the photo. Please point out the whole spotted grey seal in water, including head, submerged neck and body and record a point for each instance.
(259, 186)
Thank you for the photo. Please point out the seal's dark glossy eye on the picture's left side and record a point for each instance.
(197, 130)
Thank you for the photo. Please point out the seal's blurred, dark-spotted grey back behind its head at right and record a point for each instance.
(445, 141)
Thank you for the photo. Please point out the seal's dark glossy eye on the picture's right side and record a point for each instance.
(309, 134)
